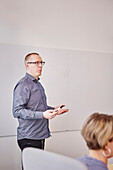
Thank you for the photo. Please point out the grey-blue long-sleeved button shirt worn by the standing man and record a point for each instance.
(29, 103)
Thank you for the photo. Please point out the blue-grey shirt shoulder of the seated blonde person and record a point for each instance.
(93, 164)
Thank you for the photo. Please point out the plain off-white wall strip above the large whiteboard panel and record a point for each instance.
(67, 24)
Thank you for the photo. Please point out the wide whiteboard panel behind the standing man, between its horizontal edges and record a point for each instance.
(82, 80)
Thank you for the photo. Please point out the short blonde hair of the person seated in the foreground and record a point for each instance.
(98, 130)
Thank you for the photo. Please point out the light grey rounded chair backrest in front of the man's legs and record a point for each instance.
(37, 159)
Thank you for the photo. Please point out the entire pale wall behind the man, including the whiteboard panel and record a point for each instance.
(75, 39)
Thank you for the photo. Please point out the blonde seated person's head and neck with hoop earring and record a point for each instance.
(98, 134)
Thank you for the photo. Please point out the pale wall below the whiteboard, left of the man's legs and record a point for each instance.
(9, 154)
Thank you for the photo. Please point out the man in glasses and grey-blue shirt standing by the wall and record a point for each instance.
(30, 106)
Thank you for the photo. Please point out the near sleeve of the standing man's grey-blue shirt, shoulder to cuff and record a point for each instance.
(21, 96)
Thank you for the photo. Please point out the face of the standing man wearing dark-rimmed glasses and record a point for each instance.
(34, 69)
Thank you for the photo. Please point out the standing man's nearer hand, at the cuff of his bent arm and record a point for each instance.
(49, 114)
